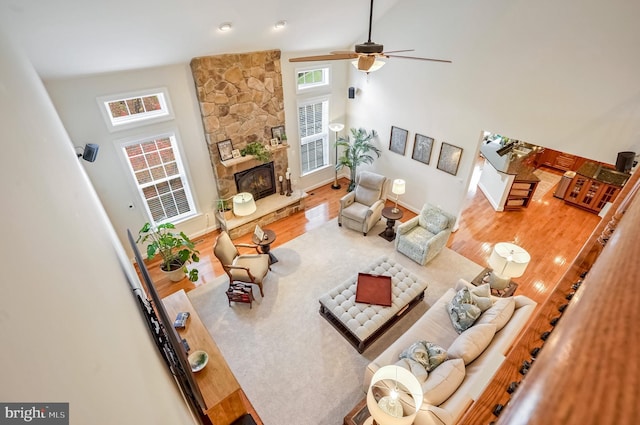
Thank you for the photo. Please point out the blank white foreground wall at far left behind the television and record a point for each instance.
(70, 328)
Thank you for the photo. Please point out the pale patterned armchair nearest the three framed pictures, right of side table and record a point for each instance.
(423, 237)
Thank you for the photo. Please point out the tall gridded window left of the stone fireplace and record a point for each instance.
(160, 177)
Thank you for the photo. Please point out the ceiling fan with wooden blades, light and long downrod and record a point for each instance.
(366, 53)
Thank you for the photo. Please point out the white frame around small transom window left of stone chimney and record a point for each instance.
(131, 121)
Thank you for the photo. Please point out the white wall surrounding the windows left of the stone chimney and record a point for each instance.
(75, 101)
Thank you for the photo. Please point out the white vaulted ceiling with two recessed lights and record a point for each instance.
(64, 38)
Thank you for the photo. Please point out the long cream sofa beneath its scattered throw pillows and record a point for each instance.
(435, 326)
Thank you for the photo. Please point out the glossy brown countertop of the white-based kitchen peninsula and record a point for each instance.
(517, 162)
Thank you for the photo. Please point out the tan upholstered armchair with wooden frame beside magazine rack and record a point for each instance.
(247, 268)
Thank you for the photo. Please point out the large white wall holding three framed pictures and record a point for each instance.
(558, 74)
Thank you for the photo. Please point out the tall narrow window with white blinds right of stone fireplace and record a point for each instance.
(314, 136)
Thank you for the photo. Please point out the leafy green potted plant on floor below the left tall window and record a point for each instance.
(176, 250)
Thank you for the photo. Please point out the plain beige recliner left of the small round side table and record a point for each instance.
(361, 209)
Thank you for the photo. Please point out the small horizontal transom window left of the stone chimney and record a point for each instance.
(134, 109)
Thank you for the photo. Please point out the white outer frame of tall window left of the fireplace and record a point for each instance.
(173, 136)
